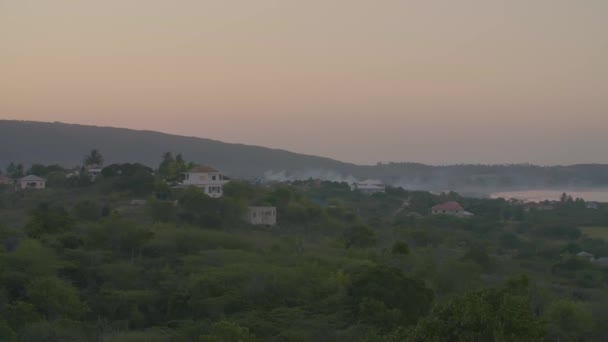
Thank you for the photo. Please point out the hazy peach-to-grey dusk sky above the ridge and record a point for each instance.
(432, 81)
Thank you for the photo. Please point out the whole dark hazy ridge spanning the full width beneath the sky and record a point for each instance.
(65, 144)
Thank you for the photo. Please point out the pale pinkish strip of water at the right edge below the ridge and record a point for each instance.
(599, 195)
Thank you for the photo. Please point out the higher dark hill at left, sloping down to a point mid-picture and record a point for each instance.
(66, 144)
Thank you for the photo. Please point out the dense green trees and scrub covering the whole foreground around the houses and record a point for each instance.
(82, 261)
